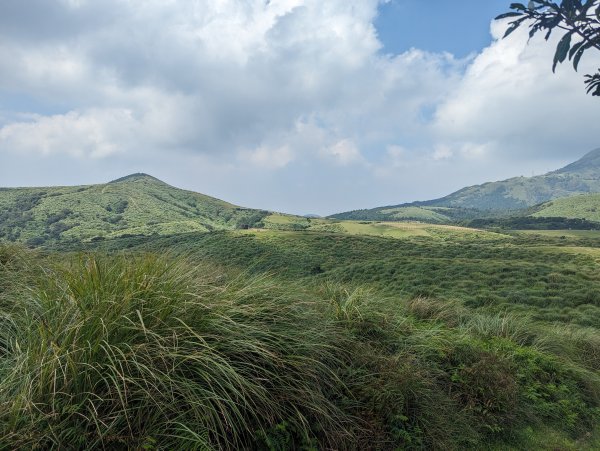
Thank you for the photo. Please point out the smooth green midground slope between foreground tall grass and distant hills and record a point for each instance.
(553, 278)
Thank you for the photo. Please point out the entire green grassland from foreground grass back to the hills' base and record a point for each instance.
(374, 336)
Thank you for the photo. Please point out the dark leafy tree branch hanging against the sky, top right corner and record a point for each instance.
(580, 20)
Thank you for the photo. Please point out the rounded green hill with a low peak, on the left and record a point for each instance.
(138, 204)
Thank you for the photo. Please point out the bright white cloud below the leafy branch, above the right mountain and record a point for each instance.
(509, 95)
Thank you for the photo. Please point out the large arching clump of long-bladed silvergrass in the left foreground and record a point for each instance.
(145, 351)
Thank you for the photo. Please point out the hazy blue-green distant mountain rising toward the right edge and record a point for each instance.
(580, 177)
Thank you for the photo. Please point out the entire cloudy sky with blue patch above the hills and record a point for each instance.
(301, 106)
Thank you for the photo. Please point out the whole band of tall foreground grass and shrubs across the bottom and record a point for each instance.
(153, 352)
